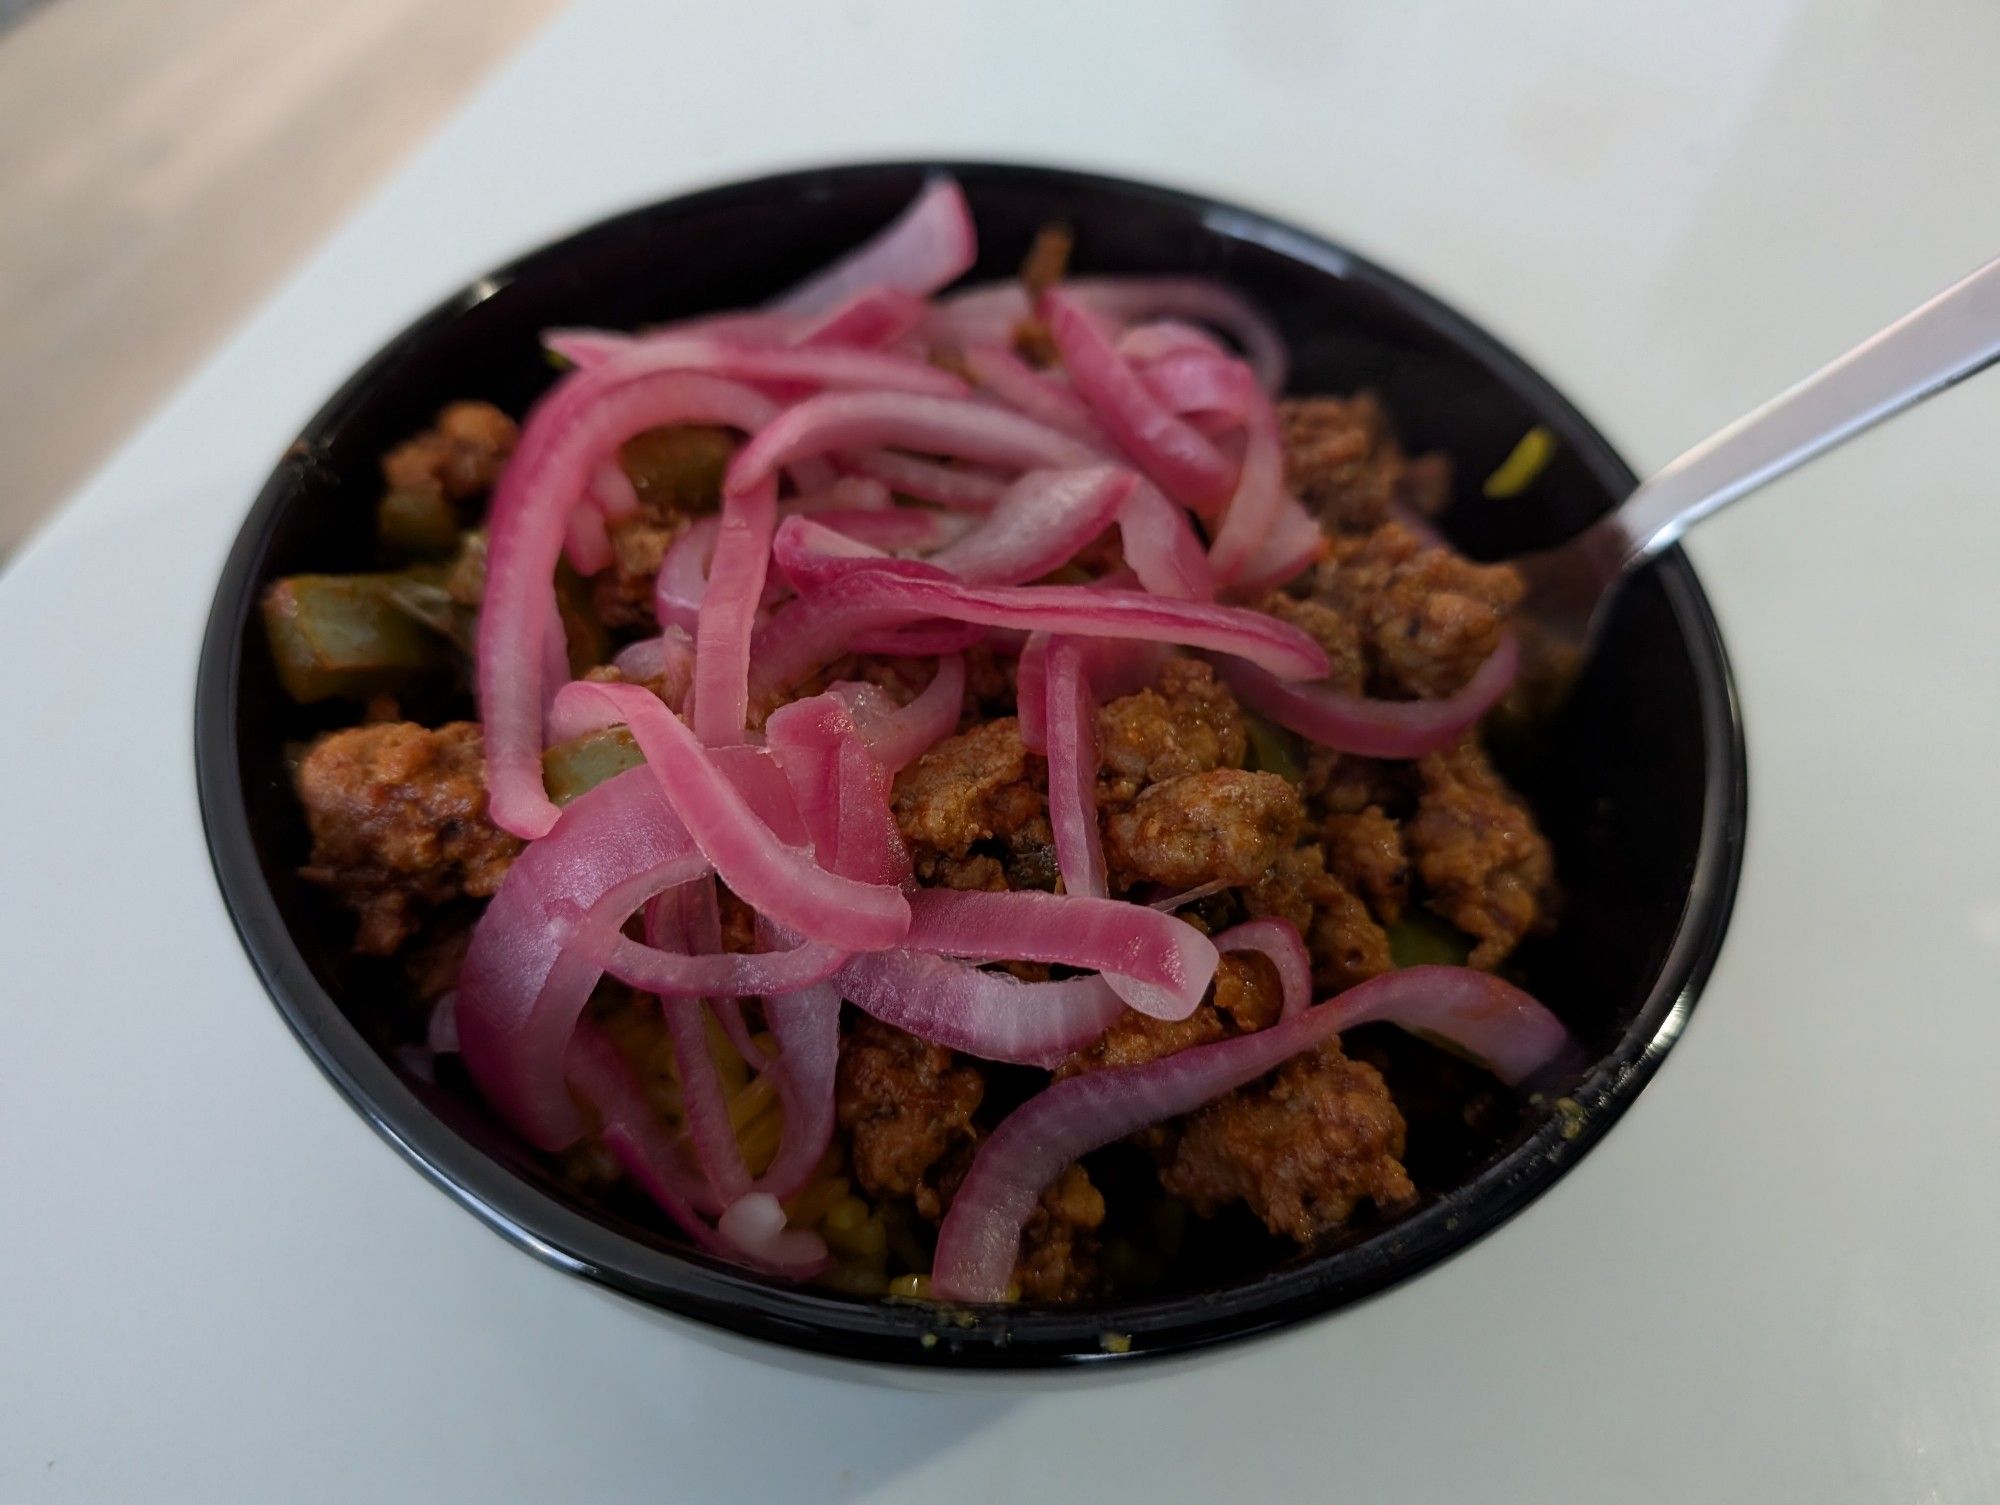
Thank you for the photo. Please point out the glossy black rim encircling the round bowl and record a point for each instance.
(907, 1334)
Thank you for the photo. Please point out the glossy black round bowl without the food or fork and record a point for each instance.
(1641, 786)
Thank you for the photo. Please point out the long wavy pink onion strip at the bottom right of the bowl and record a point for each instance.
(981, 1234)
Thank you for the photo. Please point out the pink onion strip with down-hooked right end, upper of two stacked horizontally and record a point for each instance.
(1169, 960)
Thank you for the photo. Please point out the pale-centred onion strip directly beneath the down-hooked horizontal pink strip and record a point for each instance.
(991, 1016)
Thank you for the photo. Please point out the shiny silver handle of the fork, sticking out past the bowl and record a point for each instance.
(1929, 349)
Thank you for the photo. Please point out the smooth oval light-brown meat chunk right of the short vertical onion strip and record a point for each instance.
(1209, 828)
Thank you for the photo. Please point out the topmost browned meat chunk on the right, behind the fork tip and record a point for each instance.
(1347, 465)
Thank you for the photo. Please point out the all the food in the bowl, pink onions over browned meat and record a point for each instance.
(955, 780)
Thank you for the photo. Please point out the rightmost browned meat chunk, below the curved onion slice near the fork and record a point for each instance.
(1475, 846)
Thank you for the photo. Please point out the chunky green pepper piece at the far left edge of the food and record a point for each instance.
(347, 635)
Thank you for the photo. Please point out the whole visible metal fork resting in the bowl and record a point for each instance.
(1929, 349)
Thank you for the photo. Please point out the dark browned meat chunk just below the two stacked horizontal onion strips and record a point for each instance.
(905, 1104)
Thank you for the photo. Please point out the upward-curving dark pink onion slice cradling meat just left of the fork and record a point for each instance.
(1375, 729)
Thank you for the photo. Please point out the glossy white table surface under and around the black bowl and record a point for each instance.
(1775, 1280)
